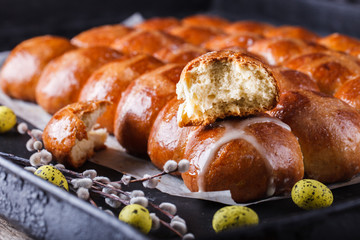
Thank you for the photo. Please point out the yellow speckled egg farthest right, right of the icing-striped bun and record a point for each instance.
(311, 194)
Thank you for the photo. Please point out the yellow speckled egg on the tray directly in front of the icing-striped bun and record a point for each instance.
(234, 216)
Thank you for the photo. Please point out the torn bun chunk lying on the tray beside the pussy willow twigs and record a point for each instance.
(70, 134)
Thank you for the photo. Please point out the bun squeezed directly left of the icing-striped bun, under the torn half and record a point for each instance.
(167, 140)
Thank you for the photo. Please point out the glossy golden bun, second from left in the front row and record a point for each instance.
(62, 79)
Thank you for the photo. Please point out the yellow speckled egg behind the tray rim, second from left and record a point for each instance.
(53, 175)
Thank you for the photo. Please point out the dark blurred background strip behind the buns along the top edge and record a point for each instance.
(22, 19)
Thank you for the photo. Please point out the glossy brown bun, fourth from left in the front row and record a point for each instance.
(133, 121)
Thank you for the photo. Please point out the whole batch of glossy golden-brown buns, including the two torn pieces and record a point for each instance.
(254, 107)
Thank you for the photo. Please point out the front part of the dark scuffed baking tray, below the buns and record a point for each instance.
(46, 212)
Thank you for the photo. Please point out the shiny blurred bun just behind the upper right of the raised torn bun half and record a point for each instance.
(278, 50)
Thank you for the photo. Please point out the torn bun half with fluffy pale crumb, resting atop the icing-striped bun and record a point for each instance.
(225, 83)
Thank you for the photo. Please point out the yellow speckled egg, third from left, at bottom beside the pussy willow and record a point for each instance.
(137, 216)
